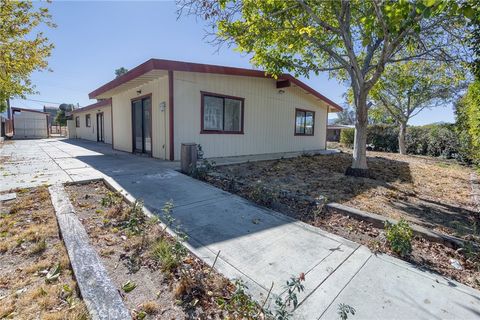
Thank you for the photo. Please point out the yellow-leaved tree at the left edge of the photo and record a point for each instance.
(23, 49)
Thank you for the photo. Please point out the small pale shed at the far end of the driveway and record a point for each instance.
(29, 123)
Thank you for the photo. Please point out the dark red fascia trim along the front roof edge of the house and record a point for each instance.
(160, 64)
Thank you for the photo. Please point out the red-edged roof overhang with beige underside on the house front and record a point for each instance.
(155, 68)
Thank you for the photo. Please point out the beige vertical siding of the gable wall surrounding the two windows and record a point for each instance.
(269, 117)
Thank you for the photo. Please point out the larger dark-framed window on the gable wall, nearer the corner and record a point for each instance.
(222, 114)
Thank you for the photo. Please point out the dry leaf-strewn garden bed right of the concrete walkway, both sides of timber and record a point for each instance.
(433, 193)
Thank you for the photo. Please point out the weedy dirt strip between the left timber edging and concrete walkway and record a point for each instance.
(190, 290)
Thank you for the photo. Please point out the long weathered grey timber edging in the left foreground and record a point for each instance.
(98, 292)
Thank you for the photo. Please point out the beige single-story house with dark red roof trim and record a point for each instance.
(160, 104)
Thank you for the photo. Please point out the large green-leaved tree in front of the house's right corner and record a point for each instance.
(353, 40)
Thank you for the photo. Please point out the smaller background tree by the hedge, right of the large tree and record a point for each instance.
(407, 88)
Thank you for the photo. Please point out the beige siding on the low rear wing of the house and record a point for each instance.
(90, 133)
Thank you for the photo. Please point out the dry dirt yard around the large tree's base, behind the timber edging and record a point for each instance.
(430, 192)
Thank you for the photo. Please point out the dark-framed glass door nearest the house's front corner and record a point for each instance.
(142, 125)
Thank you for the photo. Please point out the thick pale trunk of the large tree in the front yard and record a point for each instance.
(359, 166)
